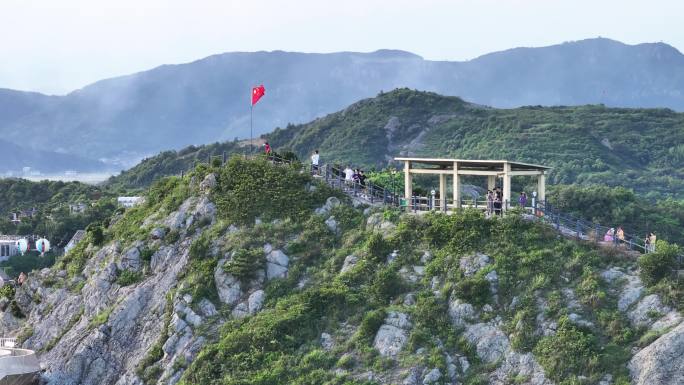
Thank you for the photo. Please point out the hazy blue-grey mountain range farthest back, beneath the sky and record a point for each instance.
(122, 119)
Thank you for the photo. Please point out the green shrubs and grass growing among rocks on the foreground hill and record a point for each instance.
(281, 344)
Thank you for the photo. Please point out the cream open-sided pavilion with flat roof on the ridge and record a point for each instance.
(455, 168)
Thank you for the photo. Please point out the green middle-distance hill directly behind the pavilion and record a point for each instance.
(641, 149)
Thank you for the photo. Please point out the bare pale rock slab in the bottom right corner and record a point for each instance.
(662, 362)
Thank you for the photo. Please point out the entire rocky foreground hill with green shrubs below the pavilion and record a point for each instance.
(253, 273)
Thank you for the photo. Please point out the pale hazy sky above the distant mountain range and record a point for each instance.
(56, 46)
